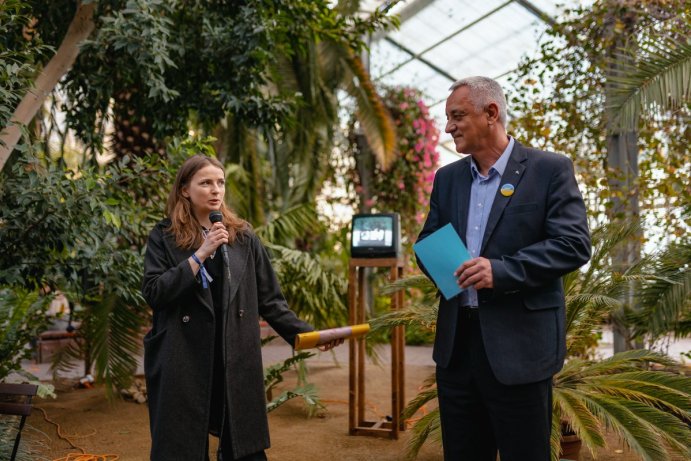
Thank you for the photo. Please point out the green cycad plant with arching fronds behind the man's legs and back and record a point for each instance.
(637, 394)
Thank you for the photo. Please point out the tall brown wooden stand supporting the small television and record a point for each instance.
(357, 423)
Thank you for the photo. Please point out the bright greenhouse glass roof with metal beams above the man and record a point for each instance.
(441, 41)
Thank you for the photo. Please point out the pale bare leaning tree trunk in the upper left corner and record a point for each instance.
(80, 28)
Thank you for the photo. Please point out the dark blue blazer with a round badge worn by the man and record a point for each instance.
(532, 239)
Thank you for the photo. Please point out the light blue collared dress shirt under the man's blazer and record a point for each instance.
(482, 193)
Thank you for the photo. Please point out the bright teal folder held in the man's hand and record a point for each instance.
(441, 252)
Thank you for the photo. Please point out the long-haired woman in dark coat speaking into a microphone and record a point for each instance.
(202, 356)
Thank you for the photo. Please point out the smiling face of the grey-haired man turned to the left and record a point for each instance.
(468, 126)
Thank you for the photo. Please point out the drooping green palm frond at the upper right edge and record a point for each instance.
(661, 79)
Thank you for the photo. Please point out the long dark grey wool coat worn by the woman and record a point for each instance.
(179, 348)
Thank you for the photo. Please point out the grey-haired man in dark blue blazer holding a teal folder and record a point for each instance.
(499, 342)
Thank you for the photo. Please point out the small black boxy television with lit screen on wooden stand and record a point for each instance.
(375, 236)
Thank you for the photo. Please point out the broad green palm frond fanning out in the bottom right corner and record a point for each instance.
(642, 406)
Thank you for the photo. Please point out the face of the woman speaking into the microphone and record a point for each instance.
(205, 191)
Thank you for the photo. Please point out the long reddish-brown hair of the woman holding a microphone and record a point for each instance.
(184, 226)
